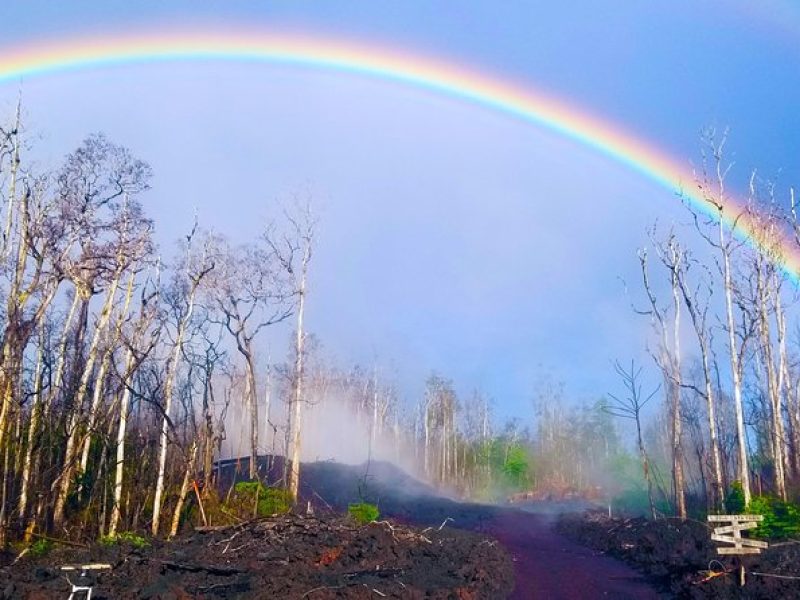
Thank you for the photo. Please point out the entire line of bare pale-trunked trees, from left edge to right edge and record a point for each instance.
(123, 376)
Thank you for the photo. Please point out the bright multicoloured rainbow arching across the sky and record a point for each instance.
(447, 78)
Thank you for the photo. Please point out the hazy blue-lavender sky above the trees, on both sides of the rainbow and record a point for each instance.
(453, 238)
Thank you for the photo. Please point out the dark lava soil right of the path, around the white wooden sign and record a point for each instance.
(682, 561)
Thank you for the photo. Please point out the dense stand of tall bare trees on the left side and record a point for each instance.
(110, 357)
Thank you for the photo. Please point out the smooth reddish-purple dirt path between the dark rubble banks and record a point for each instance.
(548, 565)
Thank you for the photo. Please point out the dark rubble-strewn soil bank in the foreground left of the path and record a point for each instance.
(282, 557)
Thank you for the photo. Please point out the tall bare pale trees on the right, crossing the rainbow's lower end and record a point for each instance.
(722, 301)
